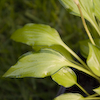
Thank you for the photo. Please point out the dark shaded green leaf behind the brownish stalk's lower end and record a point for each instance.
(84, 48)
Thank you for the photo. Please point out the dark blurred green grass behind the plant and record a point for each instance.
(15, 14)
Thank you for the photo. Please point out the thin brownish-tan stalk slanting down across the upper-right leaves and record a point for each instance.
(84, 23)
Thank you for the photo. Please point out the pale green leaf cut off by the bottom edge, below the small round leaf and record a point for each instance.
(70, 96)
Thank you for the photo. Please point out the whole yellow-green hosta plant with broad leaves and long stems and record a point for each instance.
(52, 57)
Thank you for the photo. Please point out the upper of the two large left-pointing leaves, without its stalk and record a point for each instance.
(37, 35)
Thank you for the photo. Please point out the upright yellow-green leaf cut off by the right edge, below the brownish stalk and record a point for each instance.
(93, 59)
